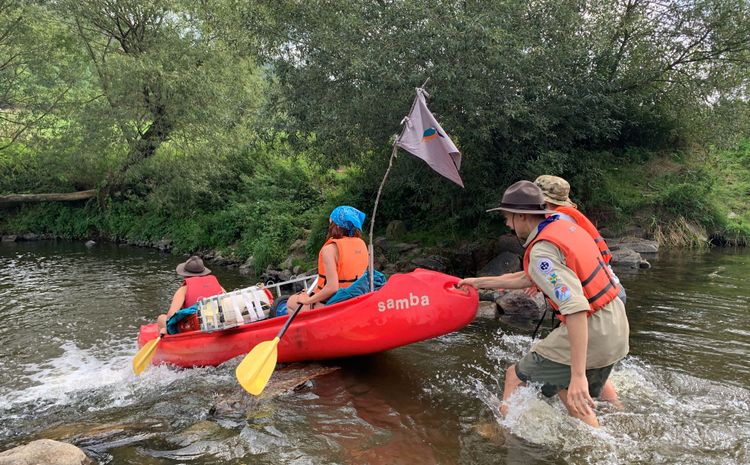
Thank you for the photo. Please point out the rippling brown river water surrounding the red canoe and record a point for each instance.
(70, 315)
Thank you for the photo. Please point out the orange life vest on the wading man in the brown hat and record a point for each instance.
(581, 256)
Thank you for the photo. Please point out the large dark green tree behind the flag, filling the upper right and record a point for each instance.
(513, 81)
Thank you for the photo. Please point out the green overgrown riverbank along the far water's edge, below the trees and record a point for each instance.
(678, 199)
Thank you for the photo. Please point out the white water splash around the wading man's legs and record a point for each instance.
(668, 417)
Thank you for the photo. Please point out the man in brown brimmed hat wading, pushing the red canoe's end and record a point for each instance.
(563, 261)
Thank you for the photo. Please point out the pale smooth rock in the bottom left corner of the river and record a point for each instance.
(44, 451)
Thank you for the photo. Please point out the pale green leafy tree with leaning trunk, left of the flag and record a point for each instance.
(164, 77)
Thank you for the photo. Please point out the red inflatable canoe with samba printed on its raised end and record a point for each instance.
(411, 307)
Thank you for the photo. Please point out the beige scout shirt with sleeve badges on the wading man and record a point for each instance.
(608, 327)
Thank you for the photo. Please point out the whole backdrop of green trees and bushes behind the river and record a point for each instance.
(238, 126)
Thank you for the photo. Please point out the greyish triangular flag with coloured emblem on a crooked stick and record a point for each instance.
(424, 137)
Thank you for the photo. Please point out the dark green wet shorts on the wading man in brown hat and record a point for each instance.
(556, 376)
